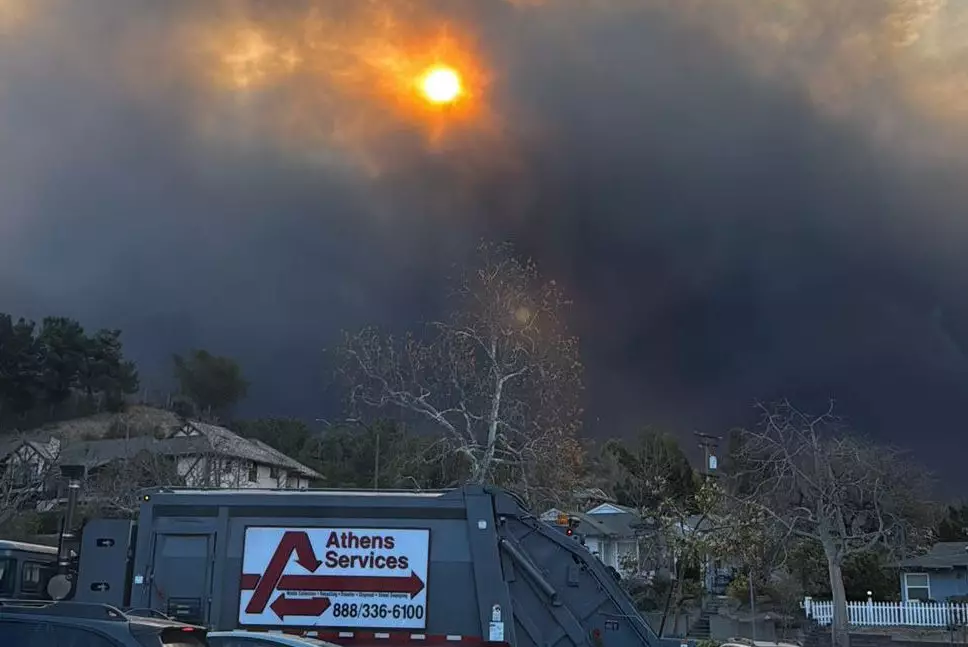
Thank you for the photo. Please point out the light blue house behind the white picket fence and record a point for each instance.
(939, 575)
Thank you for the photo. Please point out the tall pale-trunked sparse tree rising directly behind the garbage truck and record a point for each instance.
(499, 377)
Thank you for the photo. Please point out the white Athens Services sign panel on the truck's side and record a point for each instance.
(335, 577)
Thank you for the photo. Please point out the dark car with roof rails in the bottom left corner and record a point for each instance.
(26, 623)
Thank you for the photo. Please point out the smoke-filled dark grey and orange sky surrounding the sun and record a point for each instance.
(746, 198)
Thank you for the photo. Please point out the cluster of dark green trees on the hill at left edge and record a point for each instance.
(40, 370)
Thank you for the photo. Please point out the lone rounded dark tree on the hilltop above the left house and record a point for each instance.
(214, 384)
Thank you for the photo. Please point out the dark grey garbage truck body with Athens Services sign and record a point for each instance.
(468, 565)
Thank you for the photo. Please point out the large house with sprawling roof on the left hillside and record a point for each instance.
(164, 448)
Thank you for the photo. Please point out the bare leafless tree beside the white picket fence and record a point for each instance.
(831, 487)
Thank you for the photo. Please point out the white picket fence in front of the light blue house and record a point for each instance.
(891, 614)
